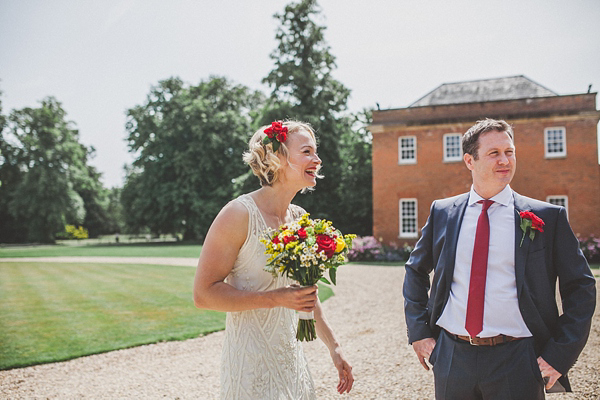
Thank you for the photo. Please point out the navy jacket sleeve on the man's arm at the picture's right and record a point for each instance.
(577, 287)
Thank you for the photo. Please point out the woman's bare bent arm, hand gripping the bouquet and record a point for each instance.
(219, 252)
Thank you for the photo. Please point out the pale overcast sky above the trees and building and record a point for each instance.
(99, 58)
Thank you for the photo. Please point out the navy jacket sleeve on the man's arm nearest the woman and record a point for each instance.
(417, 284)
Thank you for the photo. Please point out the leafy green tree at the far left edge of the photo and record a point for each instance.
(42, 157)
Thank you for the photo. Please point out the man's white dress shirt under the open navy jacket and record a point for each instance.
(501, 315)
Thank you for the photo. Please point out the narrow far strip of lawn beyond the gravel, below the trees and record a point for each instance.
(104, 250)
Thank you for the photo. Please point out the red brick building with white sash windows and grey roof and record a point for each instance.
(417, 154)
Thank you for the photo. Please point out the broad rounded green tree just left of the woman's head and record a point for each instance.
(189, 141)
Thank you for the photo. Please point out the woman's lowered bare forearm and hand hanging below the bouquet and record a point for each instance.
(325, 333)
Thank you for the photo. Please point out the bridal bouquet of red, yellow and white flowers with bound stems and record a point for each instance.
(303, 250)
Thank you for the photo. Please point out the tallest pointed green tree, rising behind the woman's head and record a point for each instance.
(303, 88)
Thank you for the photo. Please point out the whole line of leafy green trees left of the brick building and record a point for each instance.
(188, 141)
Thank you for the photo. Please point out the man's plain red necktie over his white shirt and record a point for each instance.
(474, 320)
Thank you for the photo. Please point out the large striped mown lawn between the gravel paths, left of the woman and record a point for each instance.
(52, 311)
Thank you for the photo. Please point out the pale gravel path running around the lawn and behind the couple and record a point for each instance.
(366, 314)
